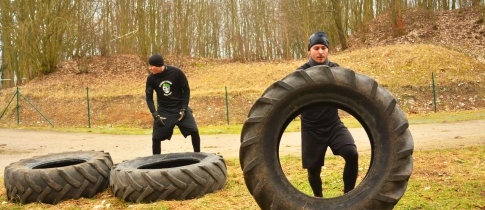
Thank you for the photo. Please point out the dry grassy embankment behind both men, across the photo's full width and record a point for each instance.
(116, 86)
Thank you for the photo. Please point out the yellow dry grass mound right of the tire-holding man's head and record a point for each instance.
(412, 65)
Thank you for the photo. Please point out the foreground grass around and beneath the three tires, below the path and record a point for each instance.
(441, 179)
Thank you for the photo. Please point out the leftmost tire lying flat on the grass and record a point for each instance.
(59, 176)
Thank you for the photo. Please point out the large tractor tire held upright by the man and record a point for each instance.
(375, 108)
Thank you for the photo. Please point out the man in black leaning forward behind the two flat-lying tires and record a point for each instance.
(173, 94)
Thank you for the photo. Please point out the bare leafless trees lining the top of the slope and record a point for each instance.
(35, 36)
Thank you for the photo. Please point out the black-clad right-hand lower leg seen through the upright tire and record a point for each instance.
(351, 168)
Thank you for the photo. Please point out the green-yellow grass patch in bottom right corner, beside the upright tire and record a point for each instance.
(447, 179)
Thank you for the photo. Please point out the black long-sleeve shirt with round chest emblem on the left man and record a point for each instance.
(172, 89)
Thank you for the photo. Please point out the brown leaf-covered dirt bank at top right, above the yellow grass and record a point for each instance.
(462, 30)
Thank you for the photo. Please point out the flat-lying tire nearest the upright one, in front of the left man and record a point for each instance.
(173, 176)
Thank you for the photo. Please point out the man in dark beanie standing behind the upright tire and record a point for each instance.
(321, 128)
